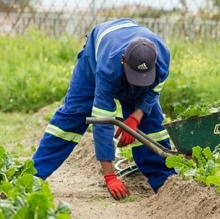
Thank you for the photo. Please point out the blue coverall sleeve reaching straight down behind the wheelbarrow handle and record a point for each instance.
(104, 106)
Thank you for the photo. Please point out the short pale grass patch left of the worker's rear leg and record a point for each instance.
(20, 133)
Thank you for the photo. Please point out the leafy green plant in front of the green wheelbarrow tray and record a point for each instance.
(204, 166)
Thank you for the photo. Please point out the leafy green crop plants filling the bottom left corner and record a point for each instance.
(24, 196)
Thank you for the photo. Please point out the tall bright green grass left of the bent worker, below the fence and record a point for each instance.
(35, 70)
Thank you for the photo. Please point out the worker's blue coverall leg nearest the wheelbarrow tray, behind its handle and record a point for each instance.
(149, 163)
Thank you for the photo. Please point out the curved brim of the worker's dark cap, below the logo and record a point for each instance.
(140, 79)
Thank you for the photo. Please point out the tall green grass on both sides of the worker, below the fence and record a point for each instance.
(36, 69)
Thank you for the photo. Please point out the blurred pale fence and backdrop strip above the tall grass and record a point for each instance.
(173, 18)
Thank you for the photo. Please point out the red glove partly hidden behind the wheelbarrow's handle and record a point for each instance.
(126, 138)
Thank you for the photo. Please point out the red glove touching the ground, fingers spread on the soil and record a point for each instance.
(115, 186)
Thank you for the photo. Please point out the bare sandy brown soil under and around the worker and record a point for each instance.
(79, 182)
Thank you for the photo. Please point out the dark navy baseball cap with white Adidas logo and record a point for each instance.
(140, 62)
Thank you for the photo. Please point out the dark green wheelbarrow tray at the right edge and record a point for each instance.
(203, 131)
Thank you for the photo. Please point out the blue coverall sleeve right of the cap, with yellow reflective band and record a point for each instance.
(151, 95)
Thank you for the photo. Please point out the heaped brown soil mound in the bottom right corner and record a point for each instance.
(181, 199)
